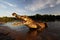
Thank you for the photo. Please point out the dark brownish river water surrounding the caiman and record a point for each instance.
(9, 32)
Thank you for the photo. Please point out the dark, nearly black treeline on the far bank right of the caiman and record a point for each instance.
(45, 17)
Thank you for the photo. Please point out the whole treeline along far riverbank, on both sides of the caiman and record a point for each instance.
(34, 17)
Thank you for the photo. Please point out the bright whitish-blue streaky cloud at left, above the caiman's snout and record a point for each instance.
(10, 8)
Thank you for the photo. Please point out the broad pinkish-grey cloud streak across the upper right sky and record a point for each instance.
(41, 4)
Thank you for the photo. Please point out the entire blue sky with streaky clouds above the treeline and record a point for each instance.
(29, 7)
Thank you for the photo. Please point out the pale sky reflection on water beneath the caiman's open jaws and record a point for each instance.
(17, 28)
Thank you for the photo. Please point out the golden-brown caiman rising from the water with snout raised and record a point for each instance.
(31, 24)
